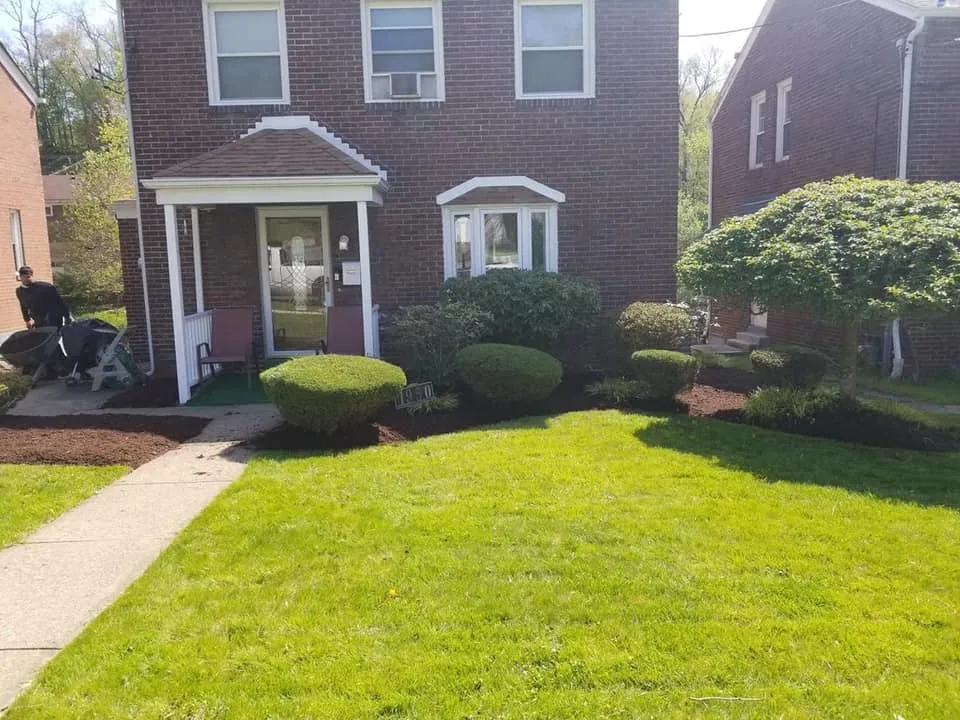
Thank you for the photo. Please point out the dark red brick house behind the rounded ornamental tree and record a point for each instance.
(821, 89)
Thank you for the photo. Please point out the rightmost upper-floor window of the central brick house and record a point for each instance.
(554, 48)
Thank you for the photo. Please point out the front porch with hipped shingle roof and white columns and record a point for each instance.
(278, 221)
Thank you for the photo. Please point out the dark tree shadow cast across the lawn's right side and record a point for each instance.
(920, 478)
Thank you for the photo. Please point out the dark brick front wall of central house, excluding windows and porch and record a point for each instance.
(615, 156)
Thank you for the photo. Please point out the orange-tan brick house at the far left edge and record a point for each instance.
(22, 220)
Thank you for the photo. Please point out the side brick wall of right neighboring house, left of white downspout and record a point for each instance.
(845, 101)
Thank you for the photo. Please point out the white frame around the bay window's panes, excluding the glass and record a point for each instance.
(478, 264)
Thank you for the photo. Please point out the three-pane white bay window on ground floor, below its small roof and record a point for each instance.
(492, 238)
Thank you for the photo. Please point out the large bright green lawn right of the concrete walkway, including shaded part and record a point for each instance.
(595, 565)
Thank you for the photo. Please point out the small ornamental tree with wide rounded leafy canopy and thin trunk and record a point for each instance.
(851, 249)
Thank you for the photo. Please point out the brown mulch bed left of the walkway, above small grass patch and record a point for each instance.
(93, 439)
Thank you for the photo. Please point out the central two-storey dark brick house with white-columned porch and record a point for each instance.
(294, 155)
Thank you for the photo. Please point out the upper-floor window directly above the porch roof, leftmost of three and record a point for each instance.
(246, 53)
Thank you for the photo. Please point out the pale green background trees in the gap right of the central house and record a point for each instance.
(701, 77)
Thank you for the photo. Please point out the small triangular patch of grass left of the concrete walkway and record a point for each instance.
(31, 495)
